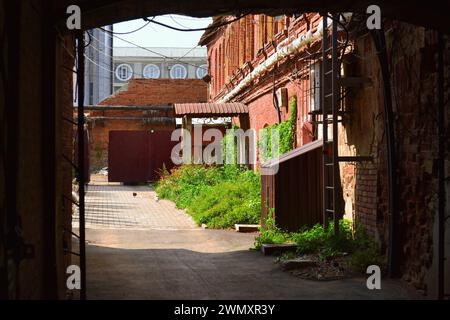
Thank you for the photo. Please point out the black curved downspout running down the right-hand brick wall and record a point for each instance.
(380, 44)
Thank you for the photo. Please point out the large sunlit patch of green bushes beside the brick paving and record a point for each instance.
(218, 196)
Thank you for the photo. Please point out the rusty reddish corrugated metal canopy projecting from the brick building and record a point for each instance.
(210, 109)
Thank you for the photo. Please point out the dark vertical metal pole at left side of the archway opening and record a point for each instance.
(81, 177)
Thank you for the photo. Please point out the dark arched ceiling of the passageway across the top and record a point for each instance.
(103, 12)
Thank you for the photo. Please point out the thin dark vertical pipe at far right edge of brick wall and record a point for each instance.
(441, 168)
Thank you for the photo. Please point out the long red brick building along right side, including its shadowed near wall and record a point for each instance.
(258, 55)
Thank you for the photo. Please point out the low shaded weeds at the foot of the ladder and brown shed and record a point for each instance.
(356, 242)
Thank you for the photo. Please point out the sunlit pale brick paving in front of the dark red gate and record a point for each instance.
(131, 207)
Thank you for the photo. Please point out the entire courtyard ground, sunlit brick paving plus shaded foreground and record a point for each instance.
(141, 248)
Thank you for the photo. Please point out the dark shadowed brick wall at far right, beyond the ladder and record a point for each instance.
(413, 54)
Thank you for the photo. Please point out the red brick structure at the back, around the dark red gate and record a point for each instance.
(143, 104)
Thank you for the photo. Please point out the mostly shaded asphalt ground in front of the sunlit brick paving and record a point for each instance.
(208, 272)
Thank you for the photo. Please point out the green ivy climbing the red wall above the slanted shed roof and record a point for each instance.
(286, 133)
